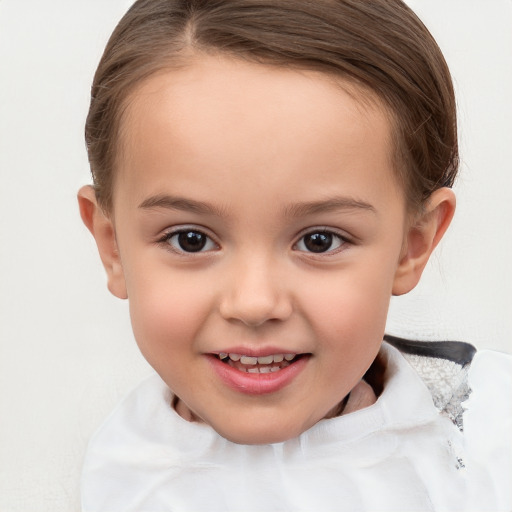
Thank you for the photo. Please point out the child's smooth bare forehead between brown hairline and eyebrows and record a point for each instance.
(219, 115)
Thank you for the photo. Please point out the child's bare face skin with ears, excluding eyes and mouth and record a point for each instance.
(275, 155)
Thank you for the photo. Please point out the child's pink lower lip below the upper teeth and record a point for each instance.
(257, 383)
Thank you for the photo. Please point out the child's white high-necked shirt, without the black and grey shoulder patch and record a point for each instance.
(399, 454)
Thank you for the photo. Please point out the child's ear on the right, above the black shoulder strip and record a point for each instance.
(421, 239)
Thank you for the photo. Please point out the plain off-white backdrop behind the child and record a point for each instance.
(66, 349)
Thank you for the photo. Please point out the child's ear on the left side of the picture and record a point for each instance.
(102, 229)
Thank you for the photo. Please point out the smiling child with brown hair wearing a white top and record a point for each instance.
(266, 176)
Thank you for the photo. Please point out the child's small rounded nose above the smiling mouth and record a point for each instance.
(255, 293)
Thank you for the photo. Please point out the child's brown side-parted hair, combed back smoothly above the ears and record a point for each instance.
(378, 44)
